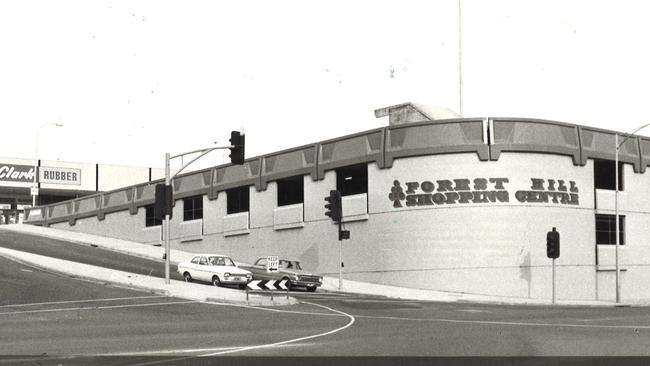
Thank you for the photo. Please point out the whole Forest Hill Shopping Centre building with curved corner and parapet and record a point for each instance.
(451, 204)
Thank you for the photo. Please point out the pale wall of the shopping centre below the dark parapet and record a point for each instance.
(485, 248)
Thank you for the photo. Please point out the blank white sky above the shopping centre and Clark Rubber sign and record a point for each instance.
(132, 80)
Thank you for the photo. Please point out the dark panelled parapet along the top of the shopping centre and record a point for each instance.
(486, 137)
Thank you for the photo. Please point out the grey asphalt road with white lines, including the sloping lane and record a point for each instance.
(44, 313)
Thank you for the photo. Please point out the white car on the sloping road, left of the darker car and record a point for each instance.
(215, 268)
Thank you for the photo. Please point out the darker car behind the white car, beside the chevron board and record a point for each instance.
(289, 270)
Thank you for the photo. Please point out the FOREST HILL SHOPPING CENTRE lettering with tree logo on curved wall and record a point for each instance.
(481, 190)
